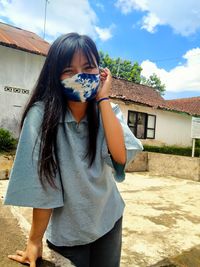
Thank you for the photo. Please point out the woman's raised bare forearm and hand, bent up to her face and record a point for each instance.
(112, 127)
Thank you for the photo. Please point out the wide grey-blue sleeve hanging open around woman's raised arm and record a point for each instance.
(132, 145)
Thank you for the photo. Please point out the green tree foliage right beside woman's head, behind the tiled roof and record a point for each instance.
(121, 68)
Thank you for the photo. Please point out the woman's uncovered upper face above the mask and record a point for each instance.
(79, 64)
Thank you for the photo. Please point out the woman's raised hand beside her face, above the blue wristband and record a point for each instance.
(106, 79)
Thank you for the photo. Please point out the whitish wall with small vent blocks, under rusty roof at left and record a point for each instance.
(18, 69)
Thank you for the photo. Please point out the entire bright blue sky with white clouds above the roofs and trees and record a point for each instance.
(163, 36)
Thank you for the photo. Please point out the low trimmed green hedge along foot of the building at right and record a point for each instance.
(175, 150)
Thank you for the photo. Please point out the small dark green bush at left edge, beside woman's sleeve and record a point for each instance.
(7, 141)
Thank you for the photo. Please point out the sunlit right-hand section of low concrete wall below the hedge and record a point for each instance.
(171, 165)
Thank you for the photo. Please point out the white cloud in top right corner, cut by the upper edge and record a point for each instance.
(182, 16)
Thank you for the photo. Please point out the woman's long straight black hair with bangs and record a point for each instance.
(48, 90)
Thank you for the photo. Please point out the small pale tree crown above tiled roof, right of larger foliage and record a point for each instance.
(155, 82)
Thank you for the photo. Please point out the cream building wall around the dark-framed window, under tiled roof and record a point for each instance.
(172, 128)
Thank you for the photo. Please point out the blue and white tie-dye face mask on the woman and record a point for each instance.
(81, 87)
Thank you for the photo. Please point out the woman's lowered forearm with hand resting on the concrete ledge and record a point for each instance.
(33, 250)
